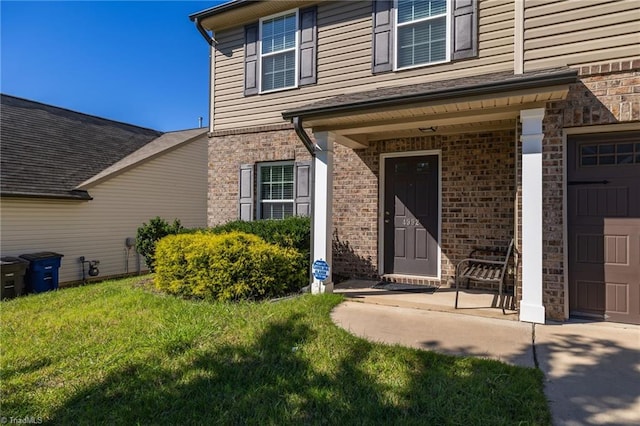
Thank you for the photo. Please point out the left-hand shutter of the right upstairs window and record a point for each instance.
(382, 48)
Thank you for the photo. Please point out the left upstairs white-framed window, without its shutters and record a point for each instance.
(279, 46)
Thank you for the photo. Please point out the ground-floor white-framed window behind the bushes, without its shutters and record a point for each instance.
(276, 190)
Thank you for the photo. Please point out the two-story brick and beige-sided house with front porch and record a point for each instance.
(413, 131)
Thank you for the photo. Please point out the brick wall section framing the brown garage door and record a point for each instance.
(607, 93)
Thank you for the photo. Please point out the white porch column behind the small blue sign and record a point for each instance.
(322, 208)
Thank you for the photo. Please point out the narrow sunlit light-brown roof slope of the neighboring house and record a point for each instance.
(163, 144)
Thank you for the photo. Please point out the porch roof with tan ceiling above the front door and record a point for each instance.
(453, 106)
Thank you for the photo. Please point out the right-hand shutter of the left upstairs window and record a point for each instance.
(308, 46)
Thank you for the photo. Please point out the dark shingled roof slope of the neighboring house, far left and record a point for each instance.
(48, 151)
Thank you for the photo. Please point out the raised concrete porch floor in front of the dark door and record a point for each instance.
(470, 302)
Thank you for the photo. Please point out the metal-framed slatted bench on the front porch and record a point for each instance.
(485, 265)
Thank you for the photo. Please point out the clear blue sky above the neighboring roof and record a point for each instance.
(138, 62)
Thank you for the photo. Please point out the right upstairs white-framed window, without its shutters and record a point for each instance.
(421, 32)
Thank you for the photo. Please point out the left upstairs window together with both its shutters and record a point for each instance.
(280, 52)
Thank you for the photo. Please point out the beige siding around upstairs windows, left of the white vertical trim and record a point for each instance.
(344, 63)
